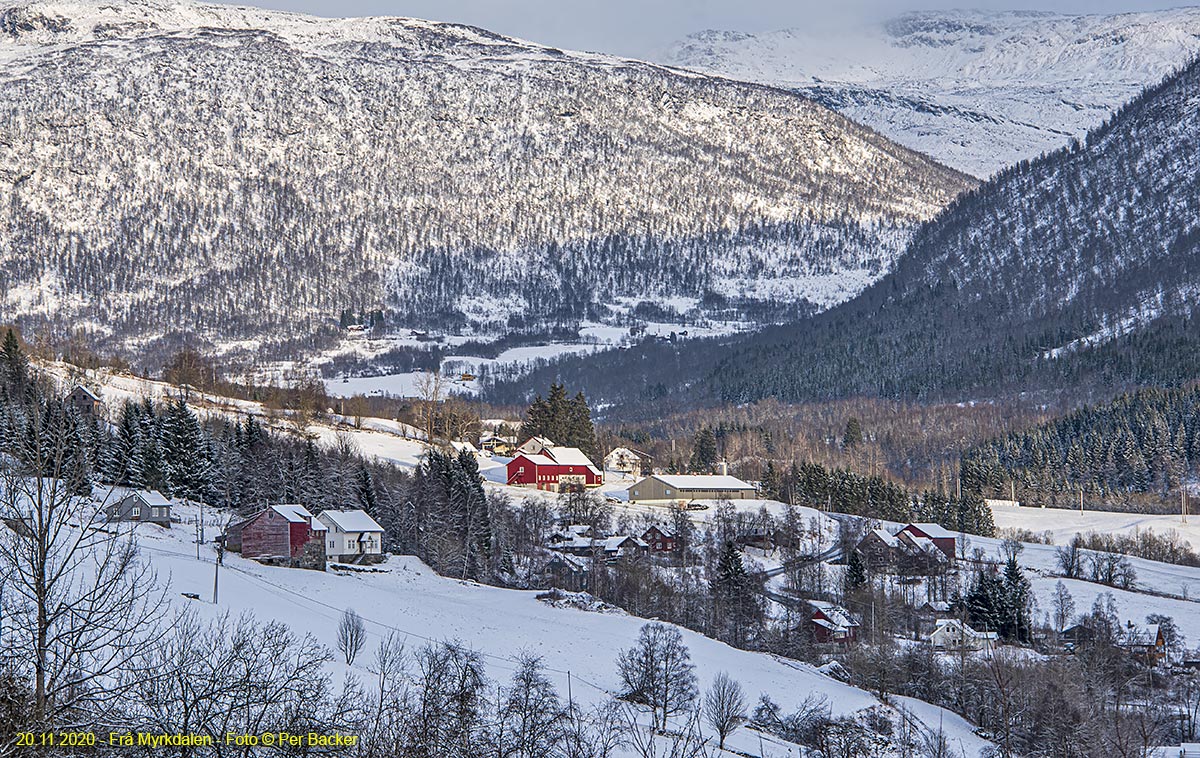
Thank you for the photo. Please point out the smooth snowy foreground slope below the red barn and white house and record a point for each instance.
(412, 601)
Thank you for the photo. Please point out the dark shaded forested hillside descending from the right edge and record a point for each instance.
(1079, 270)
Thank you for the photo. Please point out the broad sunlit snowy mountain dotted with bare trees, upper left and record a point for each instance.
(236, 175)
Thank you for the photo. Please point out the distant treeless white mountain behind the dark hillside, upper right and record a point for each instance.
(977, 91)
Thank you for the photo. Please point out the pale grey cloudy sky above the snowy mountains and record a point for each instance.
(644, 28)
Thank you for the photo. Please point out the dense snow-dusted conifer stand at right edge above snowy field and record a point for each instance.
(1138, 449)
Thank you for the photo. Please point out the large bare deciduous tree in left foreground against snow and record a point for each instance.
(79, 603)
